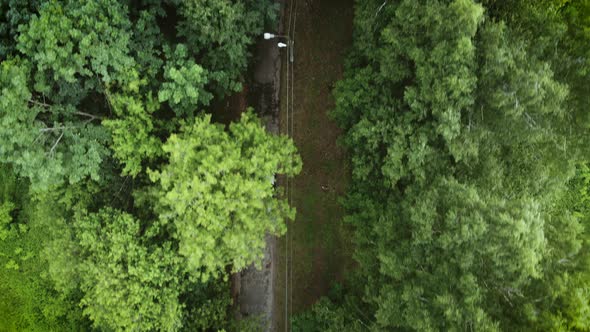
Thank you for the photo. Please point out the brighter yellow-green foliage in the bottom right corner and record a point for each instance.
(561, 298)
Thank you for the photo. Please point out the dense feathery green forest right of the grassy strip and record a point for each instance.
(466, 124)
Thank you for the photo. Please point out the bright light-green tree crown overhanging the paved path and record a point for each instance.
(218, 189)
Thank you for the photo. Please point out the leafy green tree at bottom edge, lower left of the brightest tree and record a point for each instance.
(127, 284)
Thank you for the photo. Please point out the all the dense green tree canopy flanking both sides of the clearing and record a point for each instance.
(125, 206)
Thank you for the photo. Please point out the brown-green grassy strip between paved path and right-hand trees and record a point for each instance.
(316, 253)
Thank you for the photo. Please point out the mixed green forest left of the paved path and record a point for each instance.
(123, 206)
